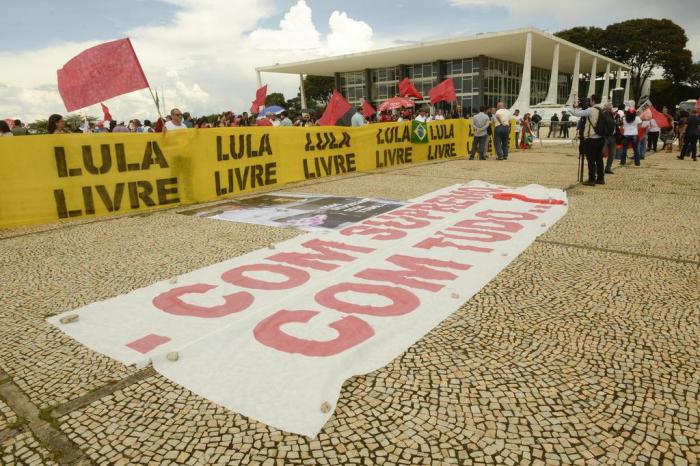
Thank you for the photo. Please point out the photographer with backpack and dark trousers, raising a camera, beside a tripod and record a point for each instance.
(598, 125)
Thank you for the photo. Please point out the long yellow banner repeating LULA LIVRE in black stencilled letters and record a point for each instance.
(48, 178)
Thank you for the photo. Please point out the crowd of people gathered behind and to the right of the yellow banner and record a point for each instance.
(627, 129)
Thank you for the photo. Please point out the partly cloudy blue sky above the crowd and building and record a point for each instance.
(202, 53)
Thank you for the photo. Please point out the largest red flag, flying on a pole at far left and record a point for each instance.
(100, 73)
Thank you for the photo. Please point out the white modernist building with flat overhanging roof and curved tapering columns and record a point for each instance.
(524, 68)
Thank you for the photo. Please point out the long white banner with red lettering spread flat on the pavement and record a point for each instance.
(274, 334)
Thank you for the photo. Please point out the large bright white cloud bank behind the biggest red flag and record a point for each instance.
(204, 59)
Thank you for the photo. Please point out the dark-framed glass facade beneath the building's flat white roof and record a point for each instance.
(478, 81)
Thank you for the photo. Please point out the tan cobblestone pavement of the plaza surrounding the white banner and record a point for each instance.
(584, 350)
